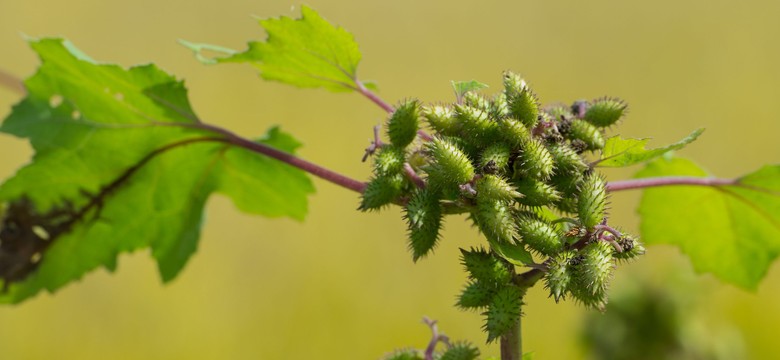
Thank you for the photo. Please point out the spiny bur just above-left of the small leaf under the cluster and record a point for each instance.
(495, 219)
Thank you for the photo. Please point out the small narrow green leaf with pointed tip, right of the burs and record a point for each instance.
(619, 152)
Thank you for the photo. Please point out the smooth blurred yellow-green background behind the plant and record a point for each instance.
(342, 285)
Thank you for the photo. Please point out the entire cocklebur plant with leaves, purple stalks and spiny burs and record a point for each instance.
(125, 143)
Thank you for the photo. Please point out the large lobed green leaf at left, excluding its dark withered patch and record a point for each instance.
(91, 123)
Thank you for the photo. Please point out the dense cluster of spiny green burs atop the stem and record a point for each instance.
(522, 174)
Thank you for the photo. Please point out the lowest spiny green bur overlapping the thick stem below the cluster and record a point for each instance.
(503, 312)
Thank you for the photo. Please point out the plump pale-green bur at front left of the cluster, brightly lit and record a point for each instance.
(451, 166)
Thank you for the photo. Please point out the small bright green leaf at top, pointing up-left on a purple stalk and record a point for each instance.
(308, 52)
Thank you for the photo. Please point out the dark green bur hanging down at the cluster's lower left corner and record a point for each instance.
(424, 217)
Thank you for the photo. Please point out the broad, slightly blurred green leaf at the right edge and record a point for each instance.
(731, 231)
